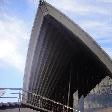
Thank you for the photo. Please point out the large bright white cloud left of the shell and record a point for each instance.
(13, 41)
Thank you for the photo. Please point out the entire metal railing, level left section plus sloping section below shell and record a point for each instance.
(36, 101)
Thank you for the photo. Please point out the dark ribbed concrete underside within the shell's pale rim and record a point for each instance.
(58, 54)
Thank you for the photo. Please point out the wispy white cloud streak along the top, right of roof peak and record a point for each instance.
(79, 7)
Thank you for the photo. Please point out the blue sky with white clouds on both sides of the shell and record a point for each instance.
(16, 21)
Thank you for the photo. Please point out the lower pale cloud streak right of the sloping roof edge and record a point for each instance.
(99, 27)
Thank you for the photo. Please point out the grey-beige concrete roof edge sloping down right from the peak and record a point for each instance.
(79, 32)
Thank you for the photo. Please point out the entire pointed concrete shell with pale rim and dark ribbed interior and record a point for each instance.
(62, 58)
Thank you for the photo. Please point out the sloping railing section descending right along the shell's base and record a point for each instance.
(46, 104)
